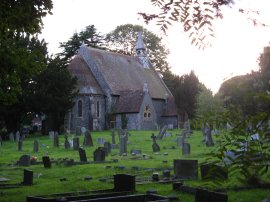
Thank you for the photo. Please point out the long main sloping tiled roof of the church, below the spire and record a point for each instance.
(122, 72)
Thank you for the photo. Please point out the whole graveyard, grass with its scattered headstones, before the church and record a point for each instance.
(161, 164)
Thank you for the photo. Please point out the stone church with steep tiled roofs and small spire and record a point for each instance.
(119, 91)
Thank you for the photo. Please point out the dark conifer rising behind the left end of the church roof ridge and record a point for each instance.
(88, 36)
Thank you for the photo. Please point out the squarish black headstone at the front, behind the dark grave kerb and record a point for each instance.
(124, 182)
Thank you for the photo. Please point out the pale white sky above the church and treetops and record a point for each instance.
(234, 51)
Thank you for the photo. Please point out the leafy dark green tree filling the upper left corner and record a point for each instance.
(19, 21)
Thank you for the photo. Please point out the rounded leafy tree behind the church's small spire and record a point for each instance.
(123, 40)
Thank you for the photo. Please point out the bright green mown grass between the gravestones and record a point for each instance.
(47, 181)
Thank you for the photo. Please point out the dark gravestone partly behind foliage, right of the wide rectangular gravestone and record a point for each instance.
(212, 172)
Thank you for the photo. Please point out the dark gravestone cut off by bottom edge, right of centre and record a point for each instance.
(203, 195)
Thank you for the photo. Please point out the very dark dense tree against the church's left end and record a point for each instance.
(53, 94)
